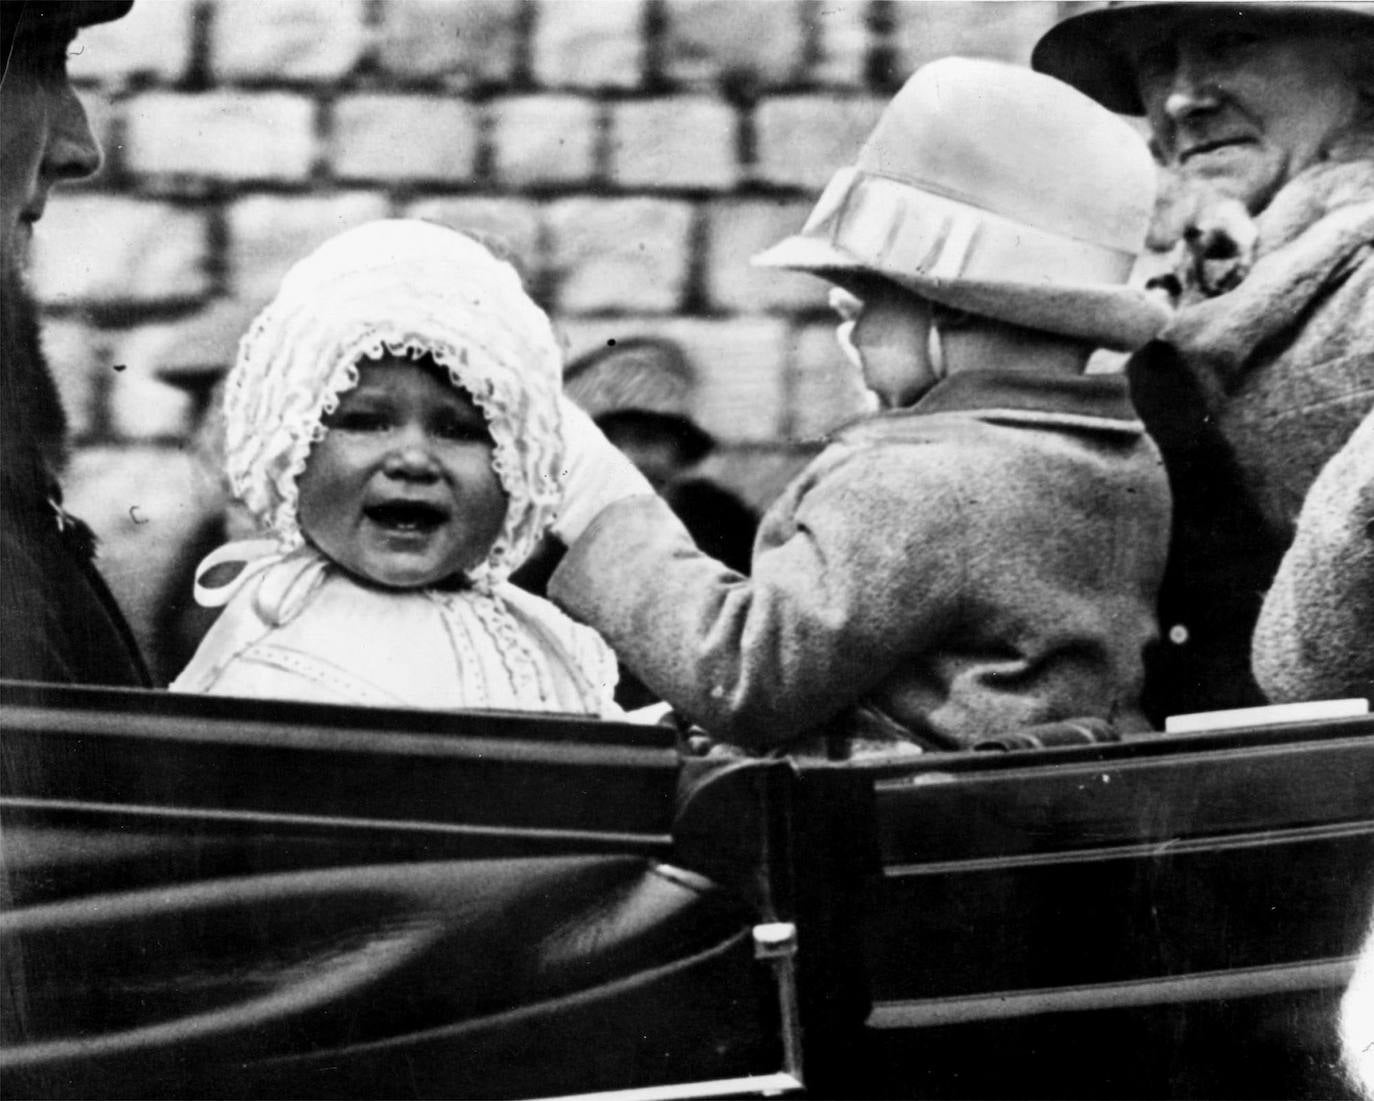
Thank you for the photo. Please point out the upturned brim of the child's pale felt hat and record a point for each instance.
(1108, 317)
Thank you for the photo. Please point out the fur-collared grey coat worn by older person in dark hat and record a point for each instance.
(1250, 394)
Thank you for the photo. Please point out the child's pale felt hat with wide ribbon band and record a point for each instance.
(1001, 192)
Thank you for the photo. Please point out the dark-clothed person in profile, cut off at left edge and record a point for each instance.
(58, 621)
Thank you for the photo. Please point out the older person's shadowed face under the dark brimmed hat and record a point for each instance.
(1247, 105)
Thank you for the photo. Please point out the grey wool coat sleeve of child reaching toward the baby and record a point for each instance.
(855, 568)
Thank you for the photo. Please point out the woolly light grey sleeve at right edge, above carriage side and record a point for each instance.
(1316, 637)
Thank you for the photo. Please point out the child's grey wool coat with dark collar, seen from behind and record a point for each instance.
(983, 561)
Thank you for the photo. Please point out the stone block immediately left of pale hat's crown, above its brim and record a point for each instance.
(803, 141)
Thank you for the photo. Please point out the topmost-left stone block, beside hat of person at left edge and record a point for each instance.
(153, 41)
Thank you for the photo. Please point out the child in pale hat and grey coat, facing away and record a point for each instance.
(984, 553)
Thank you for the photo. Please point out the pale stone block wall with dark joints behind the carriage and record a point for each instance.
(633, 153)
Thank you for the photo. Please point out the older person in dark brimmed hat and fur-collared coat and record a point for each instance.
(1263, 119)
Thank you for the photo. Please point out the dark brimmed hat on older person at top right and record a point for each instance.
(1086, 50)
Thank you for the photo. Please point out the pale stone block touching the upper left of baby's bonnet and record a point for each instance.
(269, 234)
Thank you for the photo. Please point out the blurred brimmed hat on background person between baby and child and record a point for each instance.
(645, 380)
